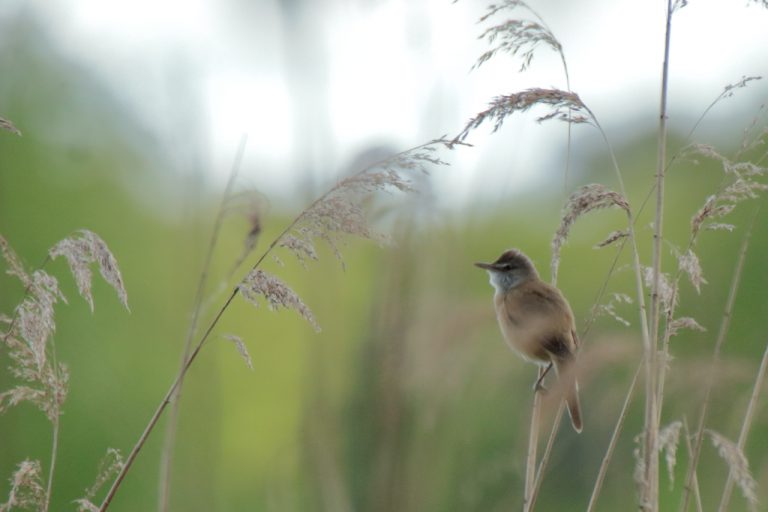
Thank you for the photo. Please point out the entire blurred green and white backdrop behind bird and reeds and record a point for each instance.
(131, 114)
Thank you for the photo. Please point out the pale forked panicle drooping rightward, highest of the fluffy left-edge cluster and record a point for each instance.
(81, 251)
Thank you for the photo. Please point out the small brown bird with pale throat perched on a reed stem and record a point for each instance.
(536, 321)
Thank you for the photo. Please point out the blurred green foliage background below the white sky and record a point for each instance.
(407, 400)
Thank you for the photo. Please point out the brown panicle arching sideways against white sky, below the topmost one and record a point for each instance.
(564, 106)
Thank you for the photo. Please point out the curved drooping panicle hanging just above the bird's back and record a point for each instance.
(584, 200)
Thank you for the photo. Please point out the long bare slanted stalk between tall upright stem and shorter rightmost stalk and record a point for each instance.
(724, 326)
